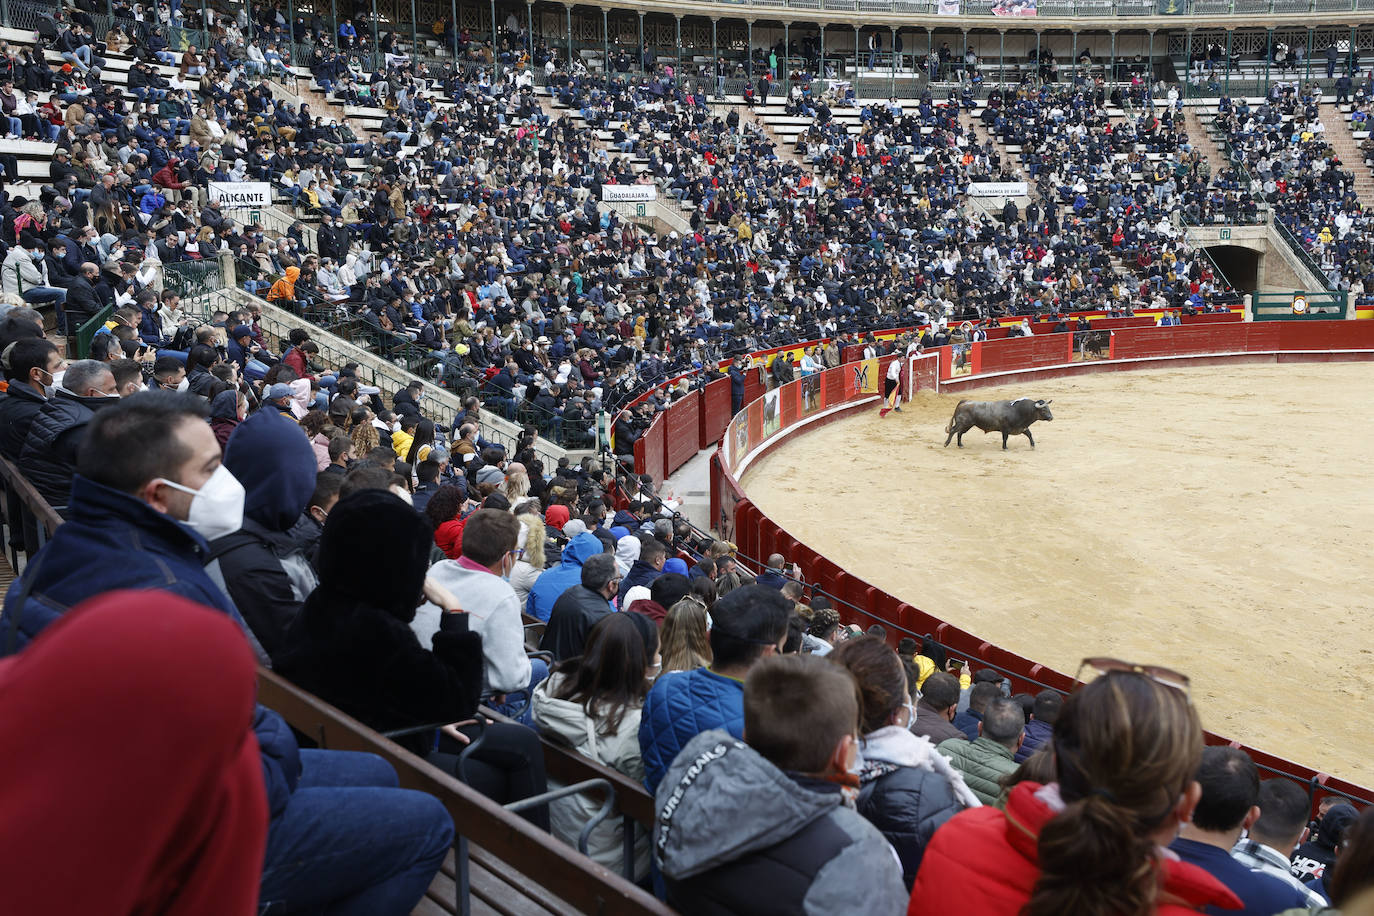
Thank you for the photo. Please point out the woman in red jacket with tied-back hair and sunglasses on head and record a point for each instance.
(1093, 843)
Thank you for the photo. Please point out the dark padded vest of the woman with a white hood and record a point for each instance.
(908, 805)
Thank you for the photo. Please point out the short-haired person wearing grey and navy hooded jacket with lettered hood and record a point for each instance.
(763, 826)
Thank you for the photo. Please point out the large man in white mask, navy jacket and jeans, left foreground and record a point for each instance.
(148, 494)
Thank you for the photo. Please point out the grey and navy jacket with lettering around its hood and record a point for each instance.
(741, 830)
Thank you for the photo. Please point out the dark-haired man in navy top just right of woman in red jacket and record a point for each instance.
(1230, 786)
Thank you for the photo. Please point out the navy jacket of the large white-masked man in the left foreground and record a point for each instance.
(116, 542)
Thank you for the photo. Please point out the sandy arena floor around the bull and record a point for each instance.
(1207, 520)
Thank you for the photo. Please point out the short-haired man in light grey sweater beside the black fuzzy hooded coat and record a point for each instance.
(477, 577)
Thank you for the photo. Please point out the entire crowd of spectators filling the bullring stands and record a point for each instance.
(406, 571)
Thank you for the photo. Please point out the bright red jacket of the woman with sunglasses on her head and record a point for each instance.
(984, 862)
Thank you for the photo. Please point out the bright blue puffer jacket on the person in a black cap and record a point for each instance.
(679, 708)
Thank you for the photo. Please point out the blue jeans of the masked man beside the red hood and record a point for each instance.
(351, 844)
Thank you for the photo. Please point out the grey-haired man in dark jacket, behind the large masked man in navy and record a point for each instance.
(49, 457)
